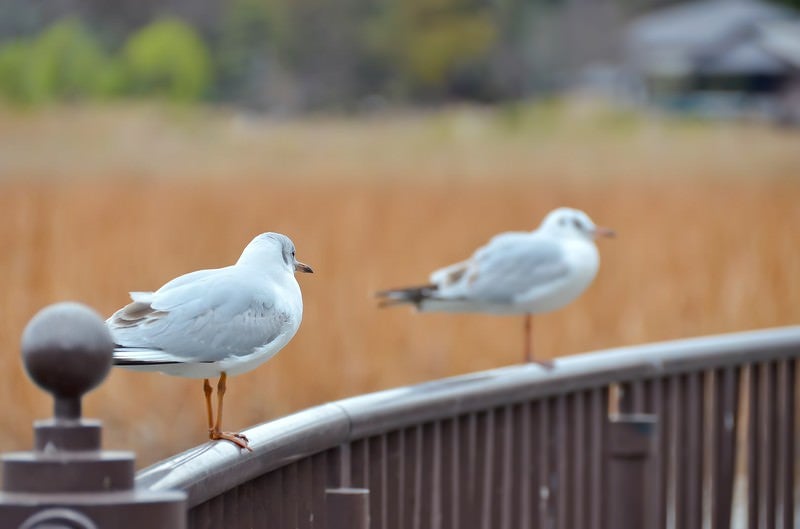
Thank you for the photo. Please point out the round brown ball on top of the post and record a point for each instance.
(67, 349)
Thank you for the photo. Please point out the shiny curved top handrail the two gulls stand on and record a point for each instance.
(211, 469)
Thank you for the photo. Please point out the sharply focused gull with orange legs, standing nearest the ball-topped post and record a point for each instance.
(219, 322)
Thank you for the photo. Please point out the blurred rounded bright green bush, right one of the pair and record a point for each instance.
(167, 58)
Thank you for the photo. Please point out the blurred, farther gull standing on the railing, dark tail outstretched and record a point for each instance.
(516, 273)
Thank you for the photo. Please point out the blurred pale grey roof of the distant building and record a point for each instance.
(710, 36)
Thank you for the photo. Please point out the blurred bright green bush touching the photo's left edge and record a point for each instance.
(65, 62)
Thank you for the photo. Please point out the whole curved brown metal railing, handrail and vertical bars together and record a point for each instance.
(520, 447)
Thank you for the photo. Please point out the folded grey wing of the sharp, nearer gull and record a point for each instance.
(213, 316)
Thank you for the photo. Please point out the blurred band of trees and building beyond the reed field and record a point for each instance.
(297, 55)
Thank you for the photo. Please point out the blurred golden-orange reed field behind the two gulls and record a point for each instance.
(98, 202)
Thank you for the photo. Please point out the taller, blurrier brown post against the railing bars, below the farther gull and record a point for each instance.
(631, 448)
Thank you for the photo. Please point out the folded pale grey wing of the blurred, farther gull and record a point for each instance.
(510, 265)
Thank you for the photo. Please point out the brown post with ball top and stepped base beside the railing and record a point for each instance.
(67, 481)
